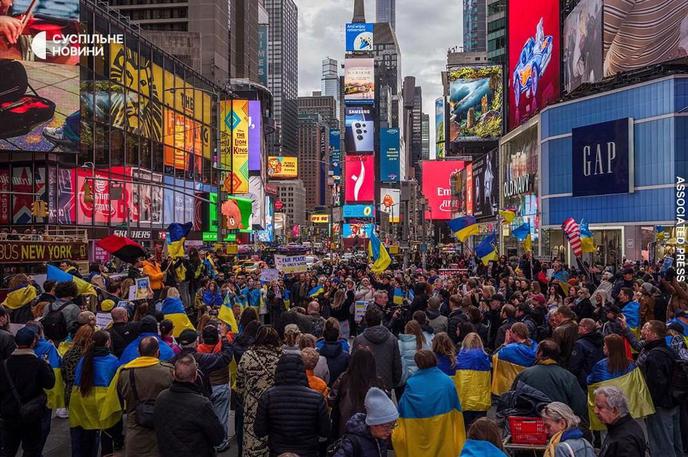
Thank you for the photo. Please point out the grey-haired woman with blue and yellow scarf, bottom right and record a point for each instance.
(566, 439)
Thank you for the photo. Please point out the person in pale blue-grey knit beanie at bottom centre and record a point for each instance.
(367, 435)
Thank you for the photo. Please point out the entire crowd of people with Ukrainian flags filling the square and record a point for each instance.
(341, 361)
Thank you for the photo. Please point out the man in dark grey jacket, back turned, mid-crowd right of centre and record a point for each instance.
(383, 345)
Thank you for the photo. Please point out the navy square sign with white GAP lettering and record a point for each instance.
(603, 158)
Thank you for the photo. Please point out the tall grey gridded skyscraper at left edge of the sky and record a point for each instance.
(283, 73)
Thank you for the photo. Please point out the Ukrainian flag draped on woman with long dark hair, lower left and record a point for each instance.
(85, 410)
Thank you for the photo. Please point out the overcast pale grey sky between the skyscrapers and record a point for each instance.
(425, 30)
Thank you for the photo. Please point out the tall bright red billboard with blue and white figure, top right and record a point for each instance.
(534, 65)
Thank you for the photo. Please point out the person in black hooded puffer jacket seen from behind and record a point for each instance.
(290, 414)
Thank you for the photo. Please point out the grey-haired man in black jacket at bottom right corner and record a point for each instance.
(624, 437)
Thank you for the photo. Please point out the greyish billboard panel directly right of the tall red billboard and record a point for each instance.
(583, 45)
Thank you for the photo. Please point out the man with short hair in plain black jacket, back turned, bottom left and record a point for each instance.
(185, 423)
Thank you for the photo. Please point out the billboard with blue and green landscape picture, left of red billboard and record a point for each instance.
(475, 102)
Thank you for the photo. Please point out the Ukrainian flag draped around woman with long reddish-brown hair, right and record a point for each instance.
(631, 382)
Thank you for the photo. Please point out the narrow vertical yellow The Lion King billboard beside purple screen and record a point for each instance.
(234, 143)
